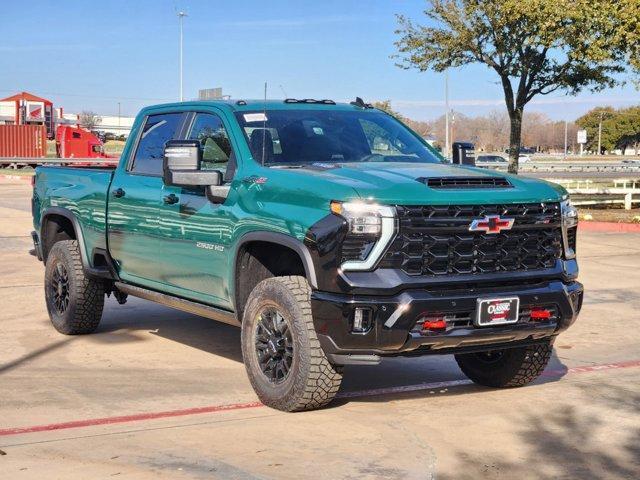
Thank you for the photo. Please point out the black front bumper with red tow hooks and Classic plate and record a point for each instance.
(394, 319)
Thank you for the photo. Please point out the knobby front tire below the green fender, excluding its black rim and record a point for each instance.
(312, 382)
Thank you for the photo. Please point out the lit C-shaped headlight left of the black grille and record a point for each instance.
(371, 228)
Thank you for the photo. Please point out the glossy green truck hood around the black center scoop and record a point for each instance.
(399, 184)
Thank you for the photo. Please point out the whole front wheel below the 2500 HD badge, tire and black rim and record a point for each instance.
(285, 363)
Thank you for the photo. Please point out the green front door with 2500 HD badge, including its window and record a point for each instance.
(200, 227)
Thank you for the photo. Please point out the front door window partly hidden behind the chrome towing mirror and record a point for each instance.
(209, 130)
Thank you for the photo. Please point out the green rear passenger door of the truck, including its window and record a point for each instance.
(135, 202)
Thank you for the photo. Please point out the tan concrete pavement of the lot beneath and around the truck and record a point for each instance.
(422, 419)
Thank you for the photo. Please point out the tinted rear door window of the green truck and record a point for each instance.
(157, 130)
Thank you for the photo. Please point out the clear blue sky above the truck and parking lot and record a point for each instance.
(92, 55)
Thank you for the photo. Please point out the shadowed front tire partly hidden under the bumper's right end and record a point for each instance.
(515, 367)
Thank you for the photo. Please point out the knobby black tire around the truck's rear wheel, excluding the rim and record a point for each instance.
(85, 295)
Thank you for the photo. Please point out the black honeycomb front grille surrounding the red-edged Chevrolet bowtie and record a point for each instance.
(435, 240)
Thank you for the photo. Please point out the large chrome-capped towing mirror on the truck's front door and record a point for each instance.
(181, 165)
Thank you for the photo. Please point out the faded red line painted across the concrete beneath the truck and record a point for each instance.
(240, 406)
